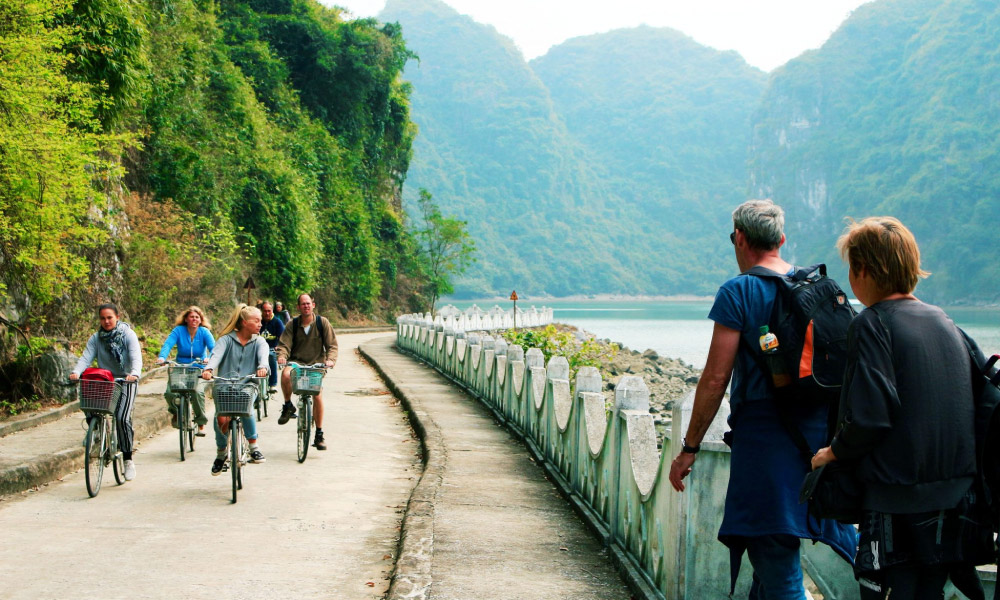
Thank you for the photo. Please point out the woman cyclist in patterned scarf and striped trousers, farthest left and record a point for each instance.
(116, 348)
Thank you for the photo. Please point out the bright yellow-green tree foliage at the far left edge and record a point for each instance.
(53, 161)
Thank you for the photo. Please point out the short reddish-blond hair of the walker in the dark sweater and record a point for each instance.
(886, 250)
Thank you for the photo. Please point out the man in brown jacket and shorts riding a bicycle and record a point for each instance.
(307, 340)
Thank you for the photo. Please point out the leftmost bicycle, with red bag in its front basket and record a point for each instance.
(98, 400)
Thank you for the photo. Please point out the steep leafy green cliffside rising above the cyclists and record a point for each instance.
(158, 152)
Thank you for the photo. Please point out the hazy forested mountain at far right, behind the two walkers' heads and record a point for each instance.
(899, 114)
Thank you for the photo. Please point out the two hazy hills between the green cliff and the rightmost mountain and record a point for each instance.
(608, 166)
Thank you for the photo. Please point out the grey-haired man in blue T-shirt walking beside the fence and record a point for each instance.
(762, 514)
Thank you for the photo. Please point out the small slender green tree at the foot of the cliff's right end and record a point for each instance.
(446, 246)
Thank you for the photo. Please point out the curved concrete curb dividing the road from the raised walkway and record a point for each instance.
(411, 578)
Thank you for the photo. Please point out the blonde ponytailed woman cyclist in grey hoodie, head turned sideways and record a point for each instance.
(239, 352)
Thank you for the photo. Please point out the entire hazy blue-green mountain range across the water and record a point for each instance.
(612, 163)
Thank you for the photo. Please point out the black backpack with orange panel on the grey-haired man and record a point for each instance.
(810, 317)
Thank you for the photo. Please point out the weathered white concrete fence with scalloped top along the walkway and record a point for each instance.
(608, 464)
